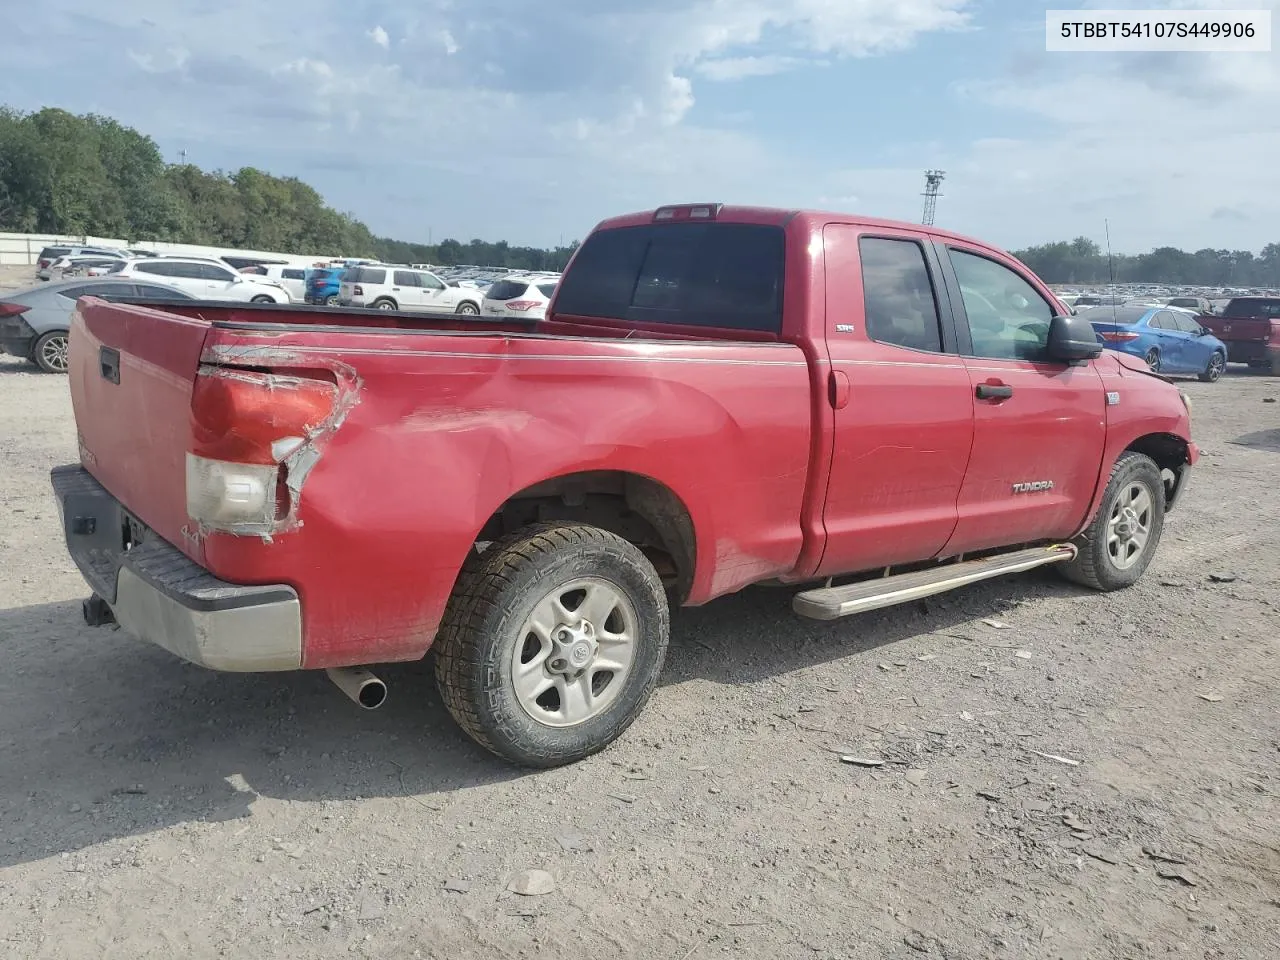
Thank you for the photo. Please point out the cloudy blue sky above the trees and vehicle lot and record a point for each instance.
(529, 122)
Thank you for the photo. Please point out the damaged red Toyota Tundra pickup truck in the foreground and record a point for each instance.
(717, 397)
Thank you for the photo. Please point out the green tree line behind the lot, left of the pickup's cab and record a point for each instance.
(92, 176)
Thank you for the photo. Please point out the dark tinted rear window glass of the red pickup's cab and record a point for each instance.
(710, 275)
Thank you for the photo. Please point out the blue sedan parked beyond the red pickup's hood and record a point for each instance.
(1172, 341)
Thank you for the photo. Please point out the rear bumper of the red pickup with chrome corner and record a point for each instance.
(163, 597)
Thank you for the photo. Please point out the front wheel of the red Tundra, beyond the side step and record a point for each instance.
(1121, 543)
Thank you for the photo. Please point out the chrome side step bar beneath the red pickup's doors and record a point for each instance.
(836, 602)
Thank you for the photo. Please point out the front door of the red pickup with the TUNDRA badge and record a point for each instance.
(1040, 427)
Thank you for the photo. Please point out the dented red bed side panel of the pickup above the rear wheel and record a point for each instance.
(447, 427)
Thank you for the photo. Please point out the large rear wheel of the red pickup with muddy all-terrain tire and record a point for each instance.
(552, 643)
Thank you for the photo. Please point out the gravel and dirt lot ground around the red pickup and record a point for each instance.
(1066, 775)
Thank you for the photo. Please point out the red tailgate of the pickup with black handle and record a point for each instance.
(132, 372)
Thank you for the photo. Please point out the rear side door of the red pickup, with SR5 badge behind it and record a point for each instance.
(902, 397)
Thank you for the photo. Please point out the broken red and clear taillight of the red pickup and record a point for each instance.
(248, 428)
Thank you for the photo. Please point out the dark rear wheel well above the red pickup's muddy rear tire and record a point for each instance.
(636, 508)
